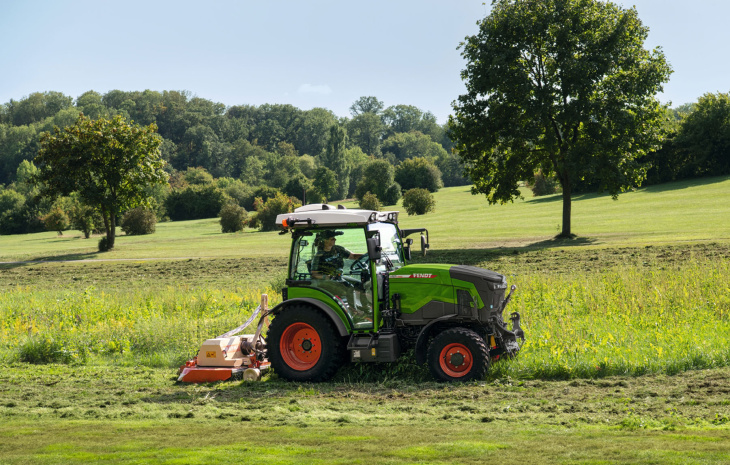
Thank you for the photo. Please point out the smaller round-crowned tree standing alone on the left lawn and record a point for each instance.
(108, 162)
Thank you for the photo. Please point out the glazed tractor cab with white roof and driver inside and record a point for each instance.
(341, 258)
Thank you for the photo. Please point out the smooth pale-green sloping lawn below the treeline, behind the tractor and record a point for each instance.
(666, 214)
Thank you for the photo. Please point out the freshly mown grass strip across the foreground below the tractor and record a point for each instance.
(101, 414)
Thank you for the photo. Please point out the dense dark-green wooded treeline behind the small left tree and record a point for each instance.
(218, 153)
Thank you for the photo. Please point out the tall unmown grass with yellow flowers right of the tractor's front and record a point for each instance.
(632, 320)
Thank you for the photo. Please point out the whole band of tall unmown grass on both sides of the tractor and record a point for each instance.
(626, 320)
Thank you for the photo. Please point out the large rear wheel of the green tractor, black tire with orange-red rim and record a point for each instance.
(303, 345)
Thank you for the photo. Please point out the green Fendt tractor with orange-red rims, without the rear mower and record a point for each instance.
(351, 295)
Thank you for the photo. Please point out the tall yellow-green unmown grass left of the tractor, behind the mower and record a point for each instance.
(159, 327)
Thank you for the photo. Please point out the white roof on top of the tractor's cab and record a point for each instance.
(319, 215)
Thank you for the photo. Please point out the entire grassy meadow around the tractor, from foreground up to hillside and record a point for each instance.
(626, 360)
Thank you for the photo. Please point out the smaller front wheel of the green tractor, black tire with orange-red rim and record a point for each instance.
(458, 354)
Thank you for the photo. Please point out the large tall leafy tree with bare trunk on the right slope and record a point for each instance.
(564, 86)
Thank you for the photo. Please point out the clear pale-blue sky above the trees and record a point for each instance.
(307, 53)
